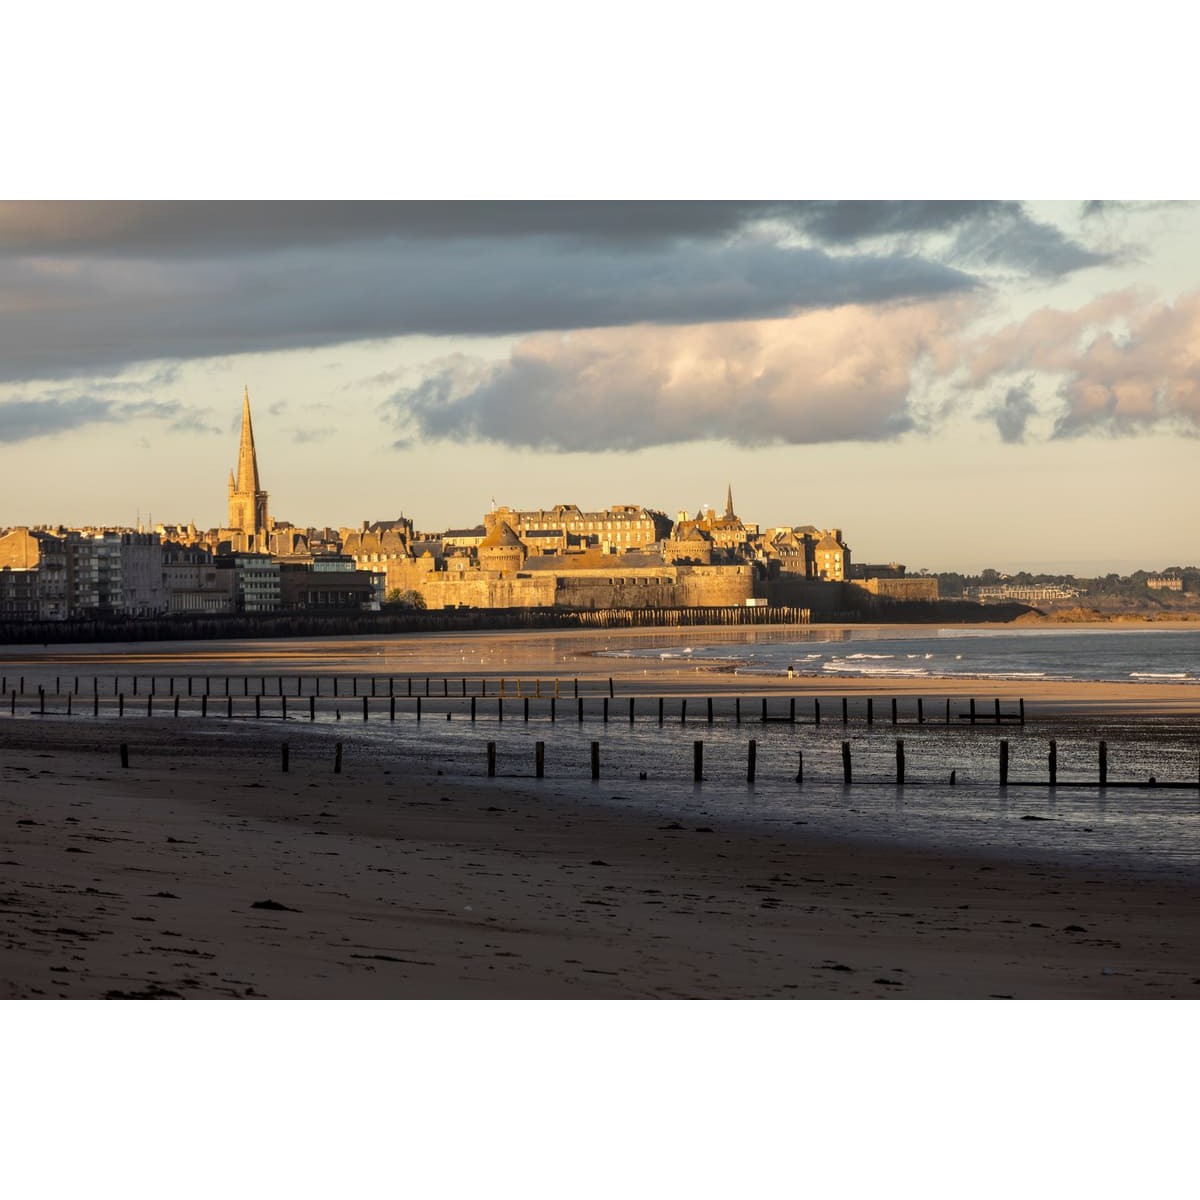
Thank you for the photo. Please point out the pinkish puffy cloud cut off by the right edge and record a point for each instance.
(1124, 364)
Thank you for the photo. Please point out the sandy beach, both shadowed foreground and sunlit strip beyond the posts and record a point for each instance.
(202, 871)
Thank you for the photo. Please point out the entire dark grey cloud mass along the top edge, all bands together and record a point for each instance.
(93, 287)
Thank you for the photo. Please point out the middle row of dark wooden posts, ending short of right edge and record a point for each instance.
(971, 716)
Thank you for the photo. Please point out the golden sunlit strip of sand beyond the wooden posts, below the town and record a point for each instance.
(535, 655)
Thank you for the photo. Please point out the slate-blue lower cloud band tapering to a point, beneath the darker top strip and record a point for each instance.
(105, 314)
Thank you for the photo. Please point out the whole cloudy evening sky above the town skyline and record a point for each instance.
(953, 385)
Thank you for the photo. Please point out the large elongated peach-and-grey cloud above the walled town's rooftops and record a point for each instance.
(832, 376)
